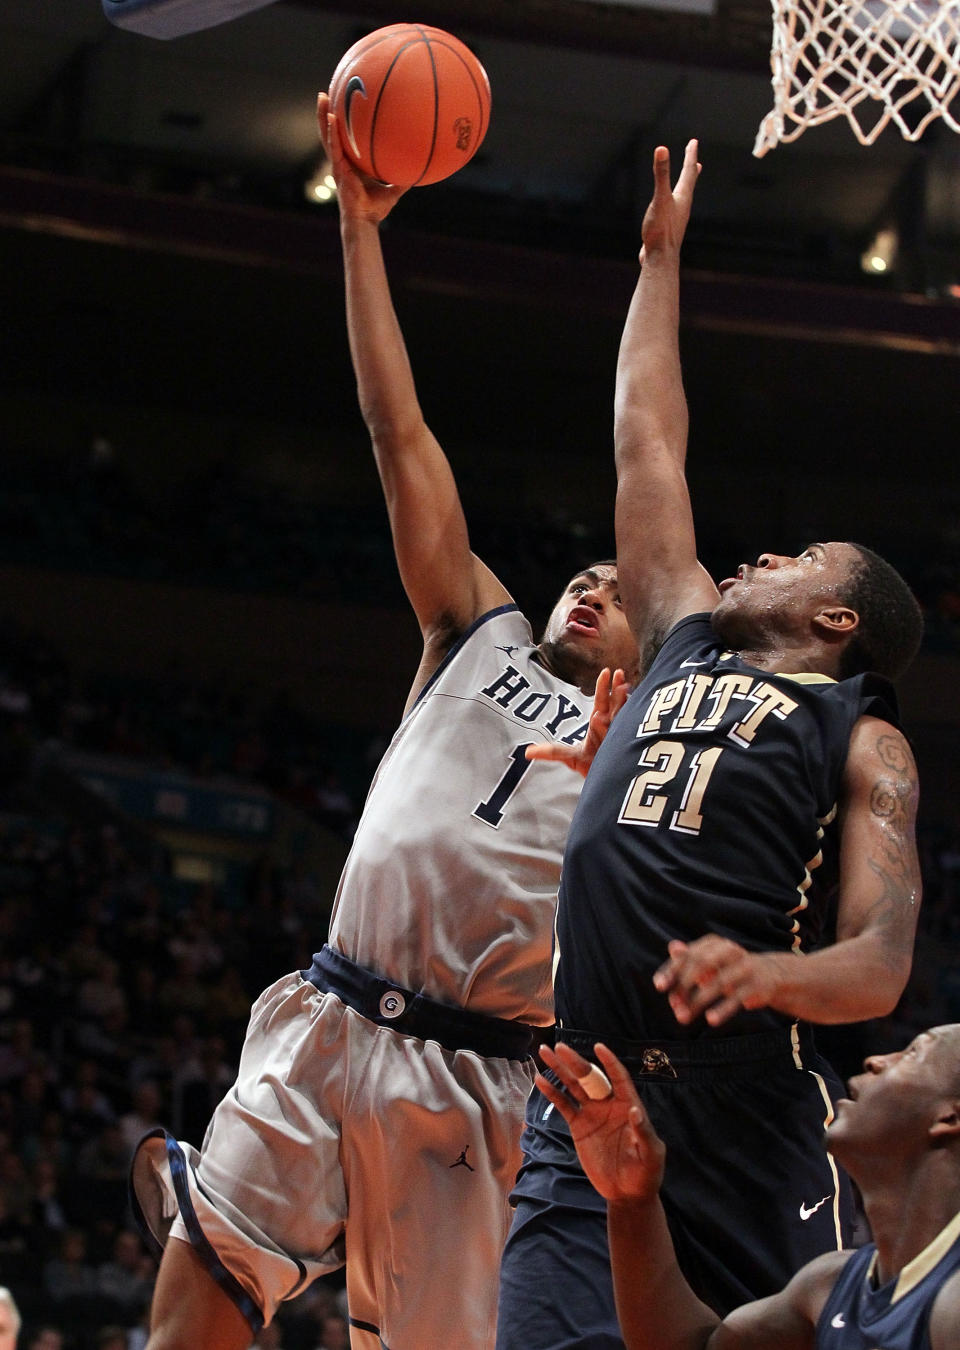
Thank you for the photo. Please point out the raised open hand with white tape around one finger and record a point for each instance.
(619, 1150)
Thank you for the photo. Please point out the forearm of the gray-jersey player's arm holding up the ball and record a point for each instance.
(385, 384)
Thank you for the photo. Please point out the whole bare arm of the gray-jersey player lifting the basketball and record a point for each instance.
(448, 587)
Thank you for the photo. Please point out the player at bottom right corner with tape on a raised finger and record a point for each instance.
(899, 1136)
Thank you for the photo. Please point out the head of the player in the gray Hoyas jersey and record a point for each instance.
(588, 630)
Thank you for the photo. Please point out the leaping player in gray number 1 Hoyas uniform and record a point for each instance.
(380, 1097)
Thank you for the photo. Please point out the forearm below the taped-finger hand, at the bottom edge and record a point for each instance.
(657, 1307)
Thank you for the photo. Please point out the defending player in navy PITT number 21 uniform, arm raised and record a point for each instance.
(757, 767)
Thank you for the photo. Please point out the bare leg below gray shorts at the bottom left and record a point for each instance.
(191, 1310)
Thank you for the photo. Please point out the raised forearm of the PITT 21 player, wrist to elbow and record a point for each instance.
(650, 407)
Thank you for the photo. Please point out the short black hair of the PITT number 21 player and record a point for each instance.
(892, 622)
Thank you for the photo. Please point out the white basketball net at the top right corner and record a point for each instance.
(870, 61)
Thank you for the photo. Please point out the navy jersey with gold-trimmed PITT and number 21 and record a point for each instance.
(710, 809)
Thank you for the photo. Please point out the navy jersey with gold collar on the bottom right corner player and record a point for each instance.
(896, 1316)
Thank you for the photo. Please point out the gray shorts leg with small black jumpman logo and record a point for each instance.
(430, 1158)
